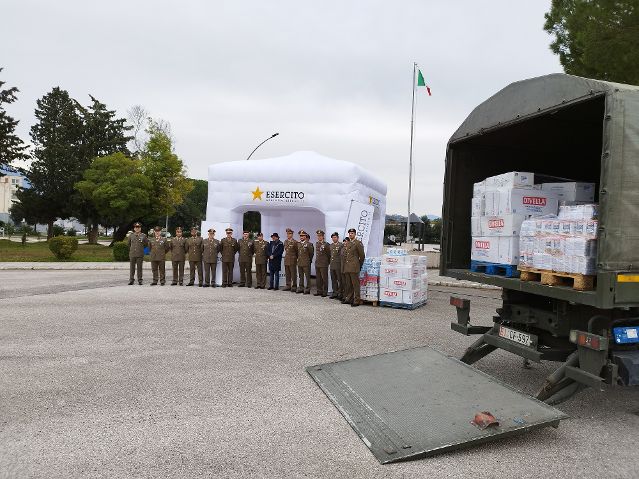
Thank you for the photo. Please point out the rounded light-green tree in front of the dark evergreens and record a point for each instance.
(117, 189)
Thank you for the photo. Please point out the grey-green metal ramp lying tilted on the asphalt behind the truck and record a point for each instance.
(419, 402)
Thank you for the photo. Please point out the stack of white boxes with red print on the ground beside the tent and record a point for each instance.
(403, 279)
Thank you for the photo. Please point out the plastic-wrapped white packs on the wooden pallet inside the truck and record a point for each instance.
(564, 244)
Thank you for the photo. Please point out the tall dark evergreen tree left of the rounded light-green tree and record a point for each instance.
(57, 159)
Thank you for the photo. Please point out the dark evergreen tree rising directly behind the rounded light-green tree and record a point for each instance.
(103, 134)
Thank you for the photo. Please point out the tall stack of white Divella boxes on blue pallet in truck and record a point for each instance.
(500, 205)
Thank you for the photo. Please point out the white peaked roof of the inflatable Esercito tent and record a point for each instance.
(298, 167)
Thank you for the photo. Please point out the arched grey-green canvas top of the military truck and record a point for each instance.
(531, 97)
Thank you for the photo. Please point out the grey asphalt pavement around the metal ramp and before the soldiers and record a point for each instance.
(102, 379)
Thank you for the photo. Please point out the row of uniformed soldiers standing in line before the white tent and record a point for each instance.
(343, 259)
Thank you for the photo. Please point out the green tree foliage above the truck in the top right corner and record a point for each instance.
(596, 38)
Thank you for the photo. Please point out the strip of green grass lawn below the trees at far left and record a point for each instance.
(14, 251)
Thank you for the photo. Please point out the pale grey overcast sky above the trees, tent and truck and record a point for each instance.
(331, 76)
